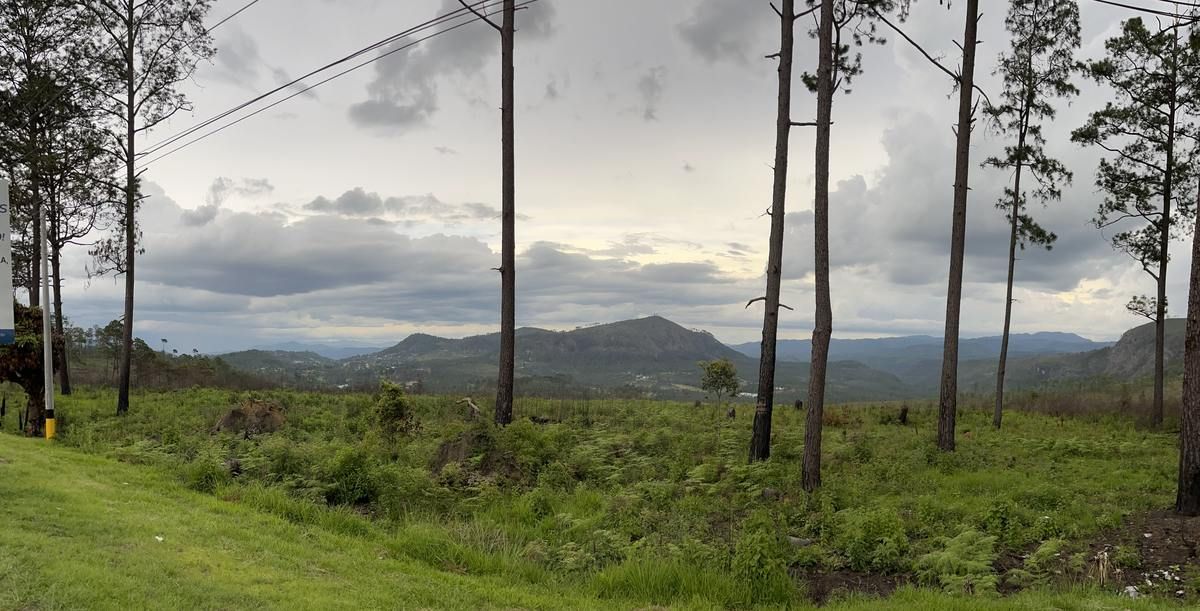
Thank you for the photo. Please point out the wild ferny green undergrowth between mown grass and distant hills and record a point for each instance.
(645, 504)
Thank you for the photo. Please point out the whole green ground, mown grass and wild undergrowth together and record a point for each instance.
(622, 505)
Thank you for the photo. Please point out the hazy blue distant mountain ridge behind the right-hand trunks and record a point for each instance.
(917, 360)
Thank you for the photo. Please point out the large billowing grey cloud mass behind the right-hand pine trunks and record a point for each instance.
(898, 230)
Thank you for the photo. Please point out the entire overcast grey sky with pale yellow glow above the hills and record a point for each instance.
(368, 209)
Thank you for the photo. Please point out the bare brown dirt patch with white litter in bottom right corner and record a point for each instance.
(1155, 553)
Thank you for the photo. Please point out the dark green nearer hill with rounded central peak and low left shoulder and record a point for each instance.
(646, 357)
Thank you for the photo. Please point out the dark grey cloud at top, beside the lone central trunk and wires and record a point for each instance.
(404, 93)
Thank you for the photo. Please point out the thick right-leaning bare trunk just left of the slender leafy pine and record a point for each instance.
(950, 391)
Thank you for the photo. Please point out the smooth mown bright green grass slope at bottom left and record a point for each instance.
(81, 532)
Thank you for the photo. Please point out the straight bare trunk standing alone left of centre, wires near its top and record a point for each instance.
(508, 247)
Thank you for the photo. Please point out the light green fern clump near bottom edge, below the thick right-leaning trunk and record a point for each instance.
(963, 566)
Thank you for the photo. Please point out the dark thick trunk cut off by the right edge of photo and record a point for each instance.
(1187, 499)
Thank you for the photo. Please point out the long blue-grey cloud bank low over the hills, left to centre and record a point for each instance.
(247, 274)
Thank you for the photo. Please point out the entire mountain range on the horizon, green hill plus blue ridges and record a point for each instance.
(657, 358)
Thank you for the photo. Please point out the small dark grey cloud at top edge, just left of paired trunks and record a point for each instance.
(725, 29)
